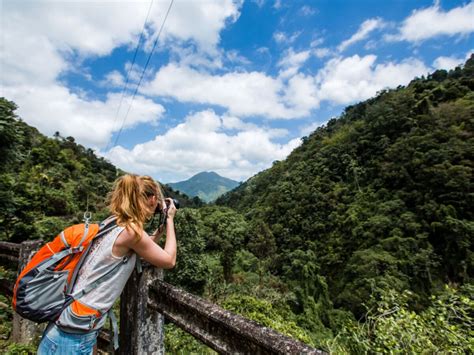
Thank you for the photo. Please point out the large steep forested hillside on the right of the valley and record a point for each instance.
(377, 199)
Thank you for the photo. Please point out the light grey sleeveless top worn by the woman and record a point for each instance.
(99, 261)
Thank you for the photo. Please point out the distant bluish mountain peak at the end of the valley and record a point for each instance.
(206, 185)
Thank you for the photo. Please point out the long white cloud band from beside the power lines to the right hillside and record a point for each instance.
(292, 94)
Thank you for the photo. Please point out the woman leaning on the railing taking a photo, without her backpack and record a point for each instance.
(112, 258)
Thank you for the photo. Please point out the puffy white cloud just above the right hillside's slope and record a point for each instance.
(351, 79)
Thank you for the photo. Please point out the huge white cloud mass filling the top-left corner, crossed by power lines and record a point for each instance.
(42, 40)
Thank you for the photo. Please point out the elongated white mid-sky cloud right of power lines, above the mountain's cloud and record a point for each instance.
(242, 93)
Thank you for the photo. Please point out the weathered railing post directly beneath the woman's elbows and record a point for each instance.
(141, 330)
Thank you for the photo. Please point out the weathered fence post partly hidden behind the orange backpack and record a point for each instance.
(24, 331)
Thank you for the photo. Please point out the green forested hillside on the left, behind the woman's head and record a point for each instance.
(48, 183)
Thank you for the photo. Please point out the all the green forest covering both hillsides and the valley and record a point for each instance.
(359, 242)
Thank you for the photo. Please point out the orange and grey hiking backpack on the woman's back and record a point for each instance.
(44, 287)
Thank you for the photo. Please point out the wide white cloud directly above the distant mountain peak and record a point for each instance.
(199, 144)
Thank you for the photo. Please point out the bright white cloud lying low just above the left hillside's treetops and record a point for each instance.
(91, 122)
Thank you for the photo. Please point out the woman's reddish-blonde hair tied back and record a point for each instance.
(128, 200)
